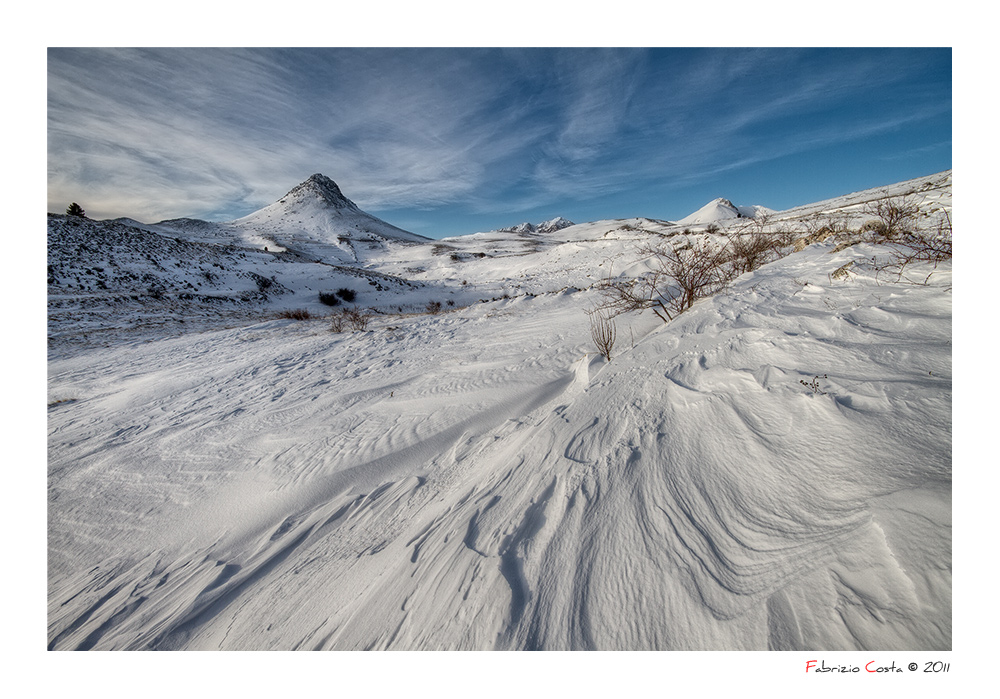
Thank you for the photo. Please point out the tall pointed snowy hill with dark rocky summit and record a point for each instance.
(317, 219)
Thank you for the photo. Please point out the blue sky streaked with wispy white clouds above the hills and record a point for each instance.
(451, 141)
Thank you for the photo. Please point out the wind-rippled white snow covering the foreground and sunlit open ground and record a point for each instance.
(481, 479)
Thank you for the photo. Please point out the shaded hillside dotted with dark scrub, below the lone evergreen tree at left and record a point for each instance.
(110, 281)
